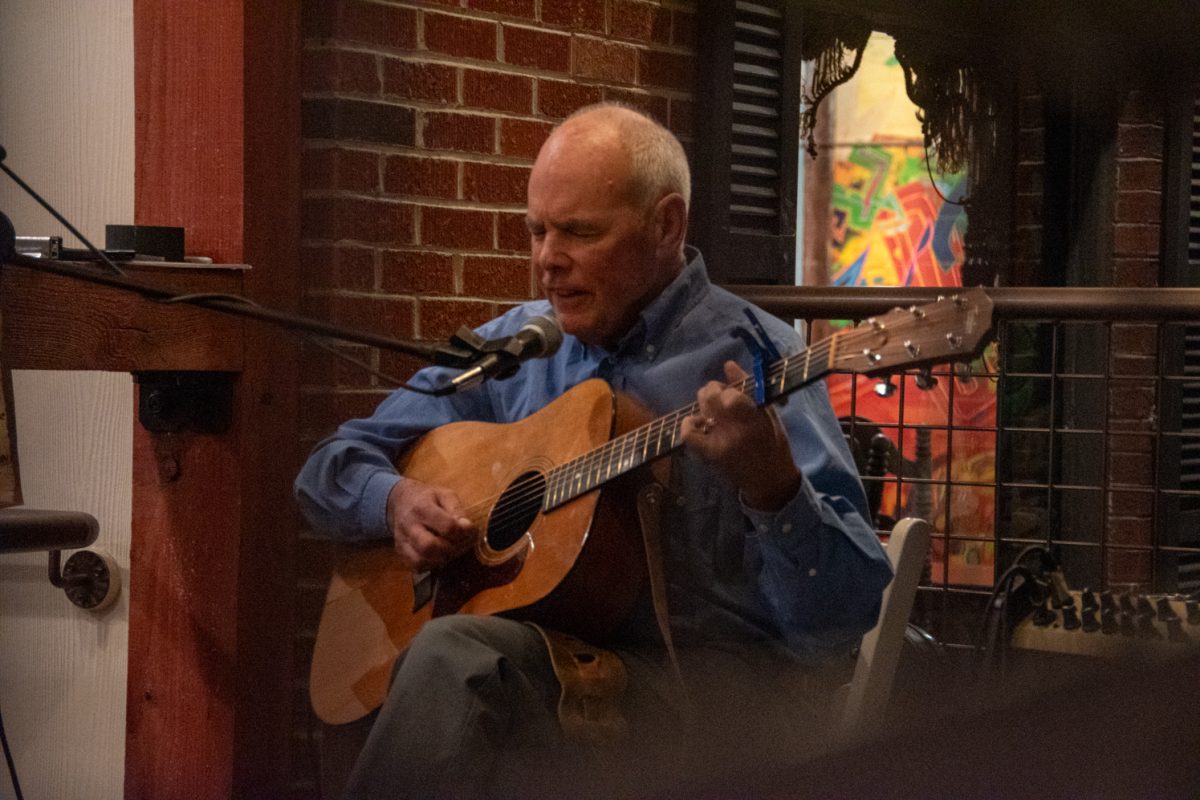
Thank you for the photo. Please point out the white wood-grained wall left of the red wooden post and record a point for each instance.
(67, 119)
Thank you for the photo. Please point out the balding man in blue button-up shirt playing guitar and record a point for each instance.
(771, 563)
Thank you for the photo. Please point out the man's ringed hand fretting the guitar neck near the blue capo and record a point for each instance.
(747, 443)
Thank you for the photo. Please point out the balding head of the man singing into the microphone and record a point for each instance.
(608, 219)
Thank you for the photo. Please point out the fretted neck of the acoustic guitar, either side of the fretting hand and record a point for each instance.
(663, 436)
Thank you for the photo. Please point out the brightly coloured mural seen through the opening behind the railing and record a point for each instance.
(892, 226)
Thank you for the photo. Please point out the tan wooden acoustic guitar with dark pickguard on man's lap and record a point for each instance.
(554, 548)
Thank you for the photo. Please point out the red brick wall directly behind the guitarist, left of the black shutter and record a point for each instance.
(422, 121)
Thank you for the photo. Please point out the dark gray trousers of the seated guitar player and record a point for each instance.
(472, 714)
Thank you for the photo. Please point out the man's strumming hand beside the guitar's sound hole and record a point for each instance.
(429, 525)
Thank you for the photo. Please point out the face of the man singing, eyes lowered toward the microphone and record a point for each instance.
(595, 250)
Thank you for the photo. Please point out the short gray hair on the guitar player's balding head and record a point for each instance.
(658, 163)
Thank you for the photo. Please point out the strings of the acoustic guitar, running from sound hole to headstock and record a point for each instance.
(525, 498)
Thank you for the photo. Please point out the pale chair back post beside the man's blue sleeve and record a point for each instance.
(867, 694)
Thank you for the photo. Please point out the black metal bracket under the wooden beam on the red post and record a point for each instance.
(170, 402)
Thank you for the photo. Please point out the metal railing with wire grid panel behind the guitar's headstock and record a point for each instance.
(1078, 430)
